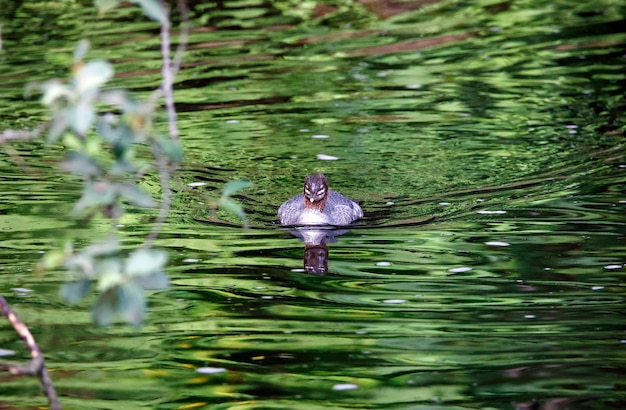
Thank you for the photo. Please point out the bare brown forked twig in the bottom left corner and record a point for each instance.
(36, 366)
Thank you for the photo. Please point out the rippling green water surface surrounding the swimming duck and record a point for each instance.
(484, 141)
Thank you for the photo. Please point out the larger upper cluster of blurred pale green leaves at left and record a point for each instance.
(107, 159)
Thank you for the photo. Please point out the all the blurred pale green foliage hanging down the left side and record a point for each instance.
(110, 143)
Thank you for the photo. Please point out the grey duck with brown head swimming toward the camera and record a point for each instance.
(319, 206)
